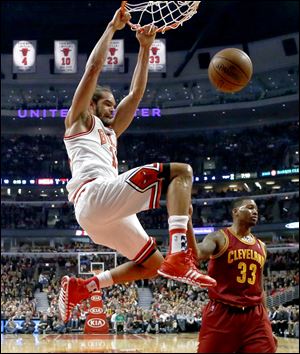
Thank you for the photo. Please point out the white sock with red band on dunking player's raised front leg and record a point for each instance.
(177, 230)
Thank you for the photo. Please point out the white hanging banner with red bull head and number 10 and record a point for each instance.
(65, 57)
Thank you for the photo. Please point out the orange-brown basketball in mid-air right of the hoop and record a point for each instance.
(230, 70)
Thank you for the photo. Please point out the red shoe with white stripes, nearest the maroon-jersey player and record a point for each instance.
(180, 266)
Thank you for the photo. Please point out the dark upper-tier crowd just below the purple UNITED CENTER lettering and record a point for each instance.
(230, 151)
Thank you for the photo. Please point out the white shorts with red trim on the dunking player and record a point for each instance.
(106, 208)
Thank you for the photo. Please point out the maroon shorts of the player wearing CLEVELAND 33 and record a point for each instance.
(225, 330)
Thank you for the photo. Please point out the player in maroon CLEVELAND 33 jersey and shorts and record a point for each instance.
(235, 320)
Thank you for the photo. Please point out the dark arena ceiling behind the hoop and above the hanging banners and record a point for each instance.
(217, 23)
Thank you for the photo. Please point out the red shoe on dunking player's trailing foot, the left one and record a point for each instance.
(72, 292)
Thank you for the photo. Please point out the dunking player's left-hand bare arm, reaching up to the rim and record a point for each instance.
(85, 90)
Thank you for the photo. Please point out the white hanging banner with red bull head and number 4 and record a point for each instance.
(24, 57)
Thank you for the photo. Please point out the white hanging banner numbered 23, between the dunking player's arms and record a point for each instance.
(115, 57)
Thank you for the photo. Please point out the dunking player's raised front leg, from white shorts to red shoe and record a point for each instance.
(140, 189)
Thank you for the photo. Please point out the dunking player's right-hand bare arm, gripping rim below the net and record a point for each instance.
(128, 106)
